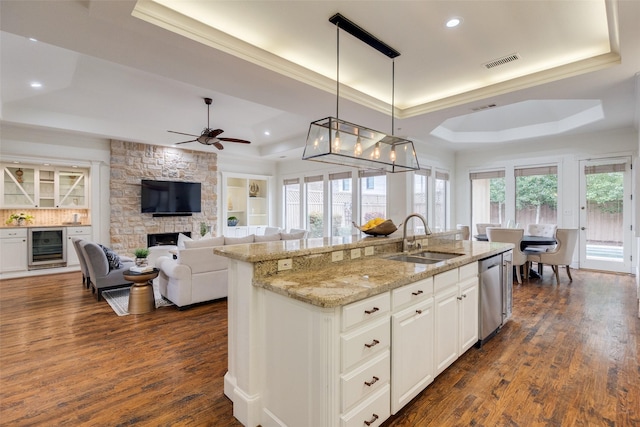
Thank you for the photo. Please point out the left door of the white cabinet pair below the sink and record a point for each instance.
(446, 327)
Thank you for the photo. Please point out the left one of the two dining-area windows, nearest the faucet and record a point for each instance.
(487, 198)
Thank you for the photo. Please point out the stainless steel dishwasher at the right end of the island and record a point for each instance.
(490, 271)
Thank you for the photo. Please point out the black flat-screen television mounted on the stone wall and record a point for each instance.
(164, 198)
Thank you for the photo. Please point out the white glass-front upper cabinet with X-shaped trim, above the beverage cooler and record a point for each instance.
(46, 187)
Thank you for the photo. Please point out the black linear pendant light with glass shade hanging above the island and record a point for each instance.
(332, 140)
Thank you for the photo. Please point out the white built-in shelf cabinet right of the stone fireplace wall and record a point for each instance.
(247, 198)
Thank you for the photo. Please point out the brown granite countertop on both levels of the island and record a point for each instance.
(345, 282)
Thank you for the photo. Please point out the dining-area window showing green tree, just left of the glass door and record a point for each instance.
(536, 195)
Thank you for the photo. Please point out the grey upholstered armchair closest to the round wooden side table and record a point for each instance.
(103, 274)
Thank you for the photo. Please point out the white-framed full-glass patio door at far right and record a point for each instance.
(605, 214)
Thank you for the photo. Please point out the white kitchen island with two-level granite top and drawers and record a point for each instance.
(331, 332)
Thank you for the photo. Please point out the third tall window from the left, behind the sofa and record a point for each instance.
(341, 204)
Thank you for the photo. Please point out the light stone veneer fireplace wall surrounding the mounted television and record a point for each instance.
(130, 162)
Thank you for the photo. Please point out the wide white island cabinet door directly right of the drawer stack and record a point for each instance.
(412, 352)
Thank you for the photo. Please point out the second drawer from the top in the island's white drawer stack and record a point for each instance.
(365, 342)
